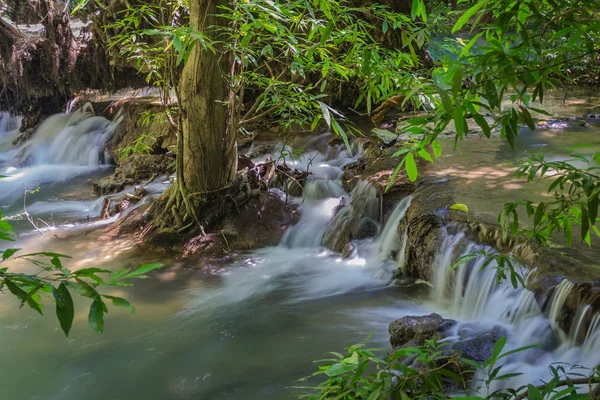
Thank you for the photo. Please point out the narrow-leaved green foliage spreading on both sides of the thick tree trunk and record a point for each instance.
(290, 57)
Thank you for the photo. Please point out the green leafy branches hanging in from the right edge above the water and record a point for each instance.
(528, 48)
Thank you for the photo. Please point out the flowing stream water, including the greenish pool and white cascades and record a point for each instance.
(249, 325)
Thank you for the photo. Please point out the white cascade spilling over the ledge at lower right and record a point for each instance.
(475, 297)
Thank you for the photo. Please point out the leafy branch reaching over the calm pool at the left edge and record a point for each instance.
(57, 282)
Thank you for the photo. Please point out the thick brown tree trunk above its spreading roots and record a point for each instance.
(209, 149)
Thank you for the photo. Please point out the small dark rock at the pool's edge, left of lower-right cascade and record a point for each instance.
(415, 331)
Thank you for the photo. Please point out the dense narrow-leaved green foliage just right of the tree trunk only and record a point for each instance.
(296, 54)
